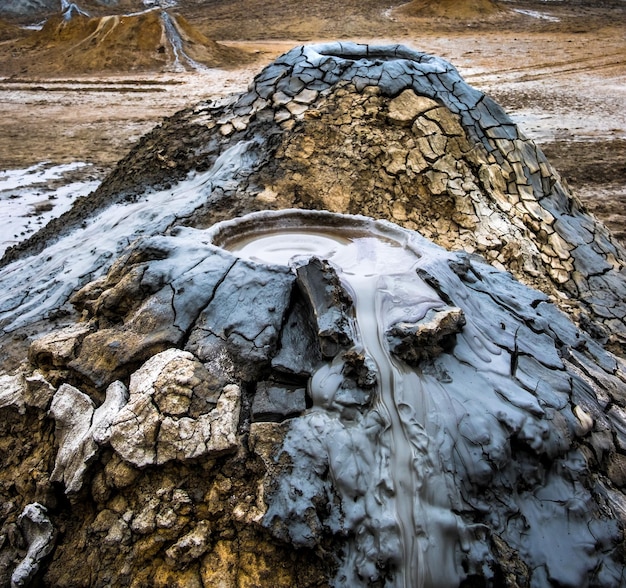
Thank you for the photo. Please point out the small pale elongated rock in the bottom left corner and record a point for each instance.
(40, 536)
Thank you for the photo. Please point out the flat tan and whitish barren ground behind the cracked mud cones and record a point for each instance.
(562, 80)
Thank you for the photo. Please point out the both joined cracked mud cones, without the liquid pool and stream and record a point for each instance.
(175, 437)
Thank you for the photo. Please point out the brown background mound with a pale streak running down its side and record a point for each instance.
(150, 41)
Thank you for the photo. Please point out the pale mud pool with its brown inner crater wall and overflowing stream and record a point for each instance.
(378, 271)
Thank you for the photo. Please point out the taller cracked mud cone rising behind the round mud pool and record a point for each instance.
(393, 134)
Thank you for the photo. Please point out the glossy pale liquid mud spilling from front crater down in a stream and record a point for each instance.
(379, 274)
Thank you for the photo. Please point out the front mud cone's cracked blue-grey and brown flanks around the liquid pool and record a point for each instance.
(548, 415)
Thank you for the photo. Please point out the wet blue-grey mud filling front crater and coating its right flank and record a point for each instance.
(464, 433)
